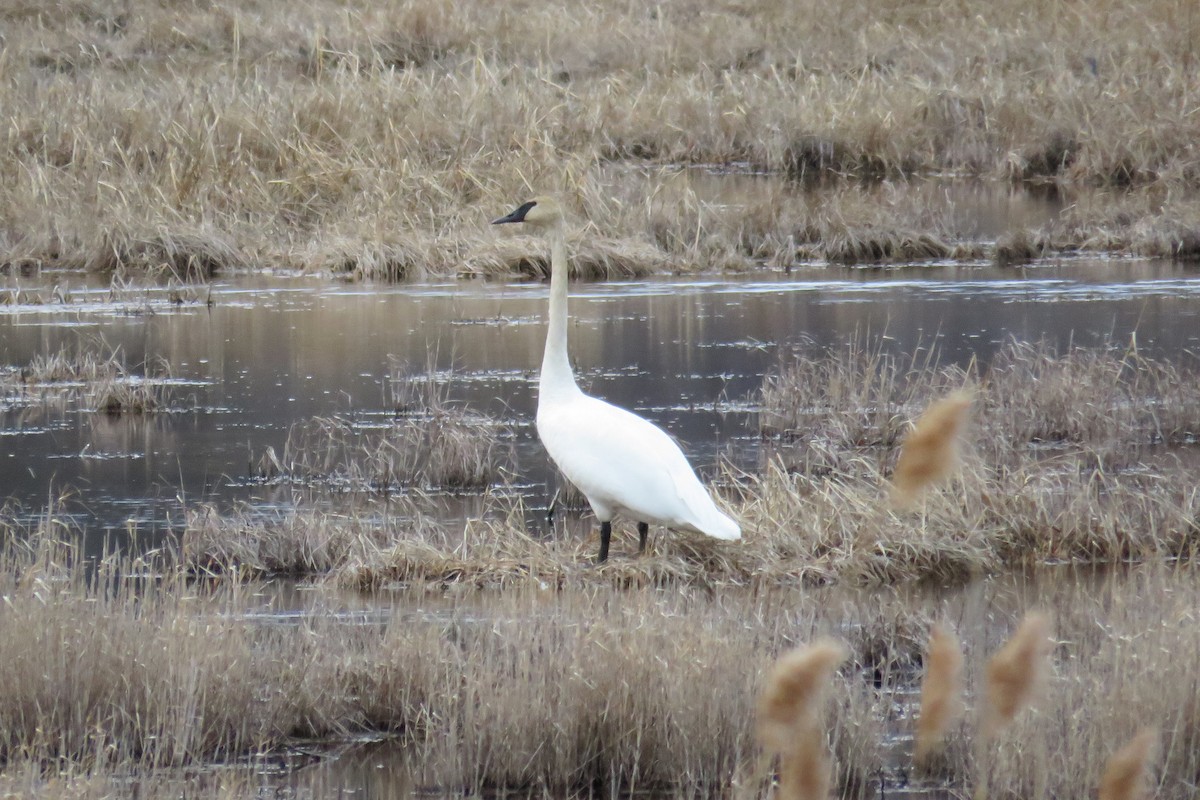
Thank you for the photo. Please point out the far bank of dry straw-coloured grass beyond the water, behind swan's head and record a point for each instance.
(379, 142)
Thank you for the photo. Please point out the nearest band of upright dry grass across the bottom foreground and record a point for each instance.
(115, 679)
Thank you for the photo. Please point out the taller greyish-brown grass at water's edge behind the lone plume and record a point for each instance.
(1111, 402)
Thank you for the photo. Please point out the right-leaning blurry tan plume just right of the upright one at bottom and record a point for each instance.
(1016, 671)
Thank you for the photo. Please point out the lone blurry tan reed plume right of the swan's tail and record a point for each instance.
(931, 452)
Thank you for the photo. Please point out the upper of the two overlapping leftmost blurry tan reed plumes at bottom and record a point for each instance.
(790, 703)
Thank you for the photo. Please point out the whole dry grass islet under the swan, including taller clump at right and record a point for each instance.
(1043, 476)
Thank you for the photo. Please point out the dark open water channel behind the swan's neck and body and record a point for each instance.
(688, 353)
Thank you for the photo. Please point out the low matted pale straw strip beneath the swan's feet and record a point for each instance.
(800, 530)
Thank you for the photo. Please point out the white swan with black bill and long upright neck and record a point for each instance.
(622, 464)
